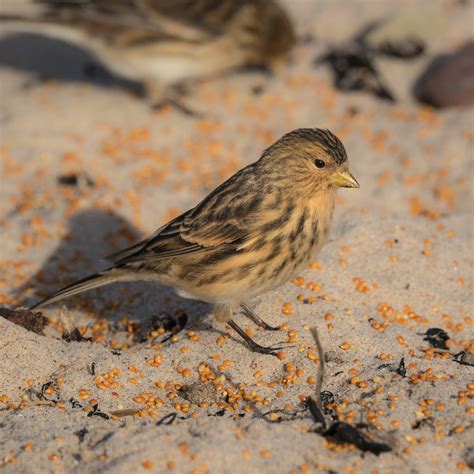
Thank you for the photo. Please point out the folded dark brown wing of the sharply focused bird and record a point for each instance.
(227, 217)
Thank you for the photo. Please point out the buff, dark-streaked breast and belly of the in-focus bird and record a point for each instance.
(265, 261)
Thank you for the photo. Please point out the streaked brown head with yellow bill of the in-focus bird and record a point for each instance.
(308, 160)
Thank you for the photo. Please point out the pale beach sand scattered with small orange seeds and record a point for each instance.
(398, 262)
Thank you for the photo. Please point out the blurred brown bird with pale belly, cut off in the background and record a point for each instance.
(162, 43)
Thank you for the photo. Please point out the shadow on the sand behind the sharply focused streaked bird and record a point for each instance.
(92, 234)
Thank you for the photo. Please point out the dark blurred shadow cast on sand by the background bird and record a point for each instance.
(47, 58)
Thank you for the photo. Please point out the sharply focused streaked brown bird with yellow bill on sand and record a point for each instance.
(250, 235)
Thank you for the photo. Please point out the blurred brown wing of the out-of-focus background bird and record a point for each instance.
(136, 21)
